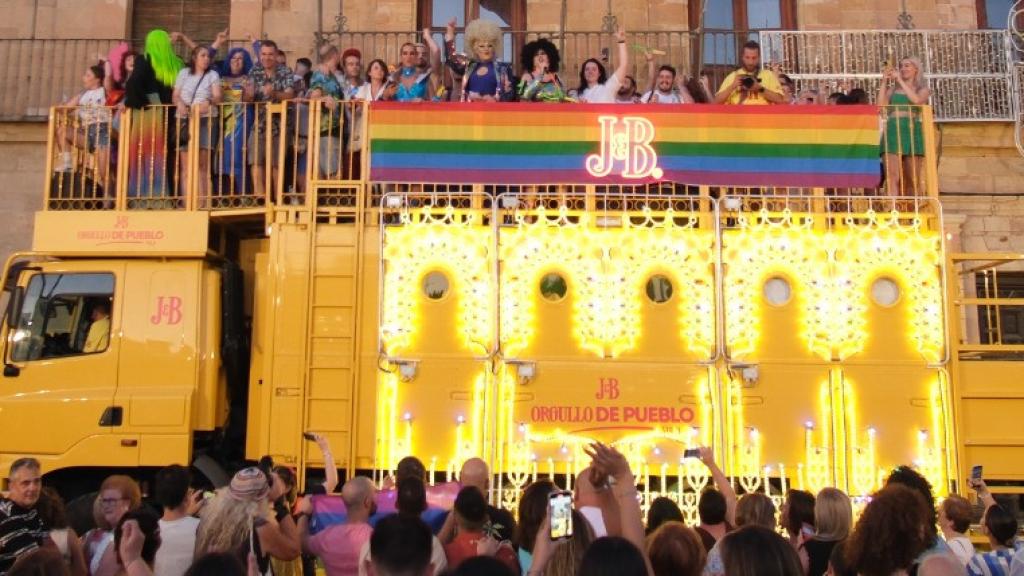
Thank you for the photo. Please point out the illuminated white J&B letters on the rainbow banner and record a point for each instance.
(630, 145)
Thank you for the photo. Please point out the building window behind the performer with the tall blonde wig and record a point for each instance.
(511, 15)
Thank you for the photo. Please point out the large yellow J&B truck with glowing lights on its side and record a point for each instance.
(813, 336)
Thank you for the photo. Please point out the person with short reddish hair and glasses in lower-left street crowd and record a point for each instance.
(118, 495)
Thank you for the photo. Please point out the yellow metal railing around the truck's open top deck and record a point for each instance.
(248, 159)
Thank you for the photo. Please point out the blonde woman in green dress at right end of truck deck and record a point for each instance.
(905, 91)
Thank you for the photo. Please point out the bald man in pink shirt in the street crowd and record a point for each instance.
(338, 547)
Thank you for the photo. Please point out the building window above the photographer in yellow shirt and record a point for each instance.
(729, 24)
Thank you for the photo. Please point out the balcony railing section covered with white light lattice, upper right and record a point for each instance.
(971, 73)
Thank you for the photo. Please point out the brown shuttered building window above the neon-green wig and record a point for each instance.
(200, 20)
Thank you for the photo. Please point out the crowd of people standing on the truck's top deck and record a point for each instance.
(236, 157)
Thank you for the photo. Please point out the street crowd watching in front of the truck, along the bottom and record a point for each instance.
(260, 525)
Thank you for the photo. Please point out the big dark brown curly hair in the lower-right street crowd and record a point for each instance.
(890, 533)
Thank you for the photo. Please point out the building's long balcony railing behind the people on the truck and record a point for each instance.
(971, 73)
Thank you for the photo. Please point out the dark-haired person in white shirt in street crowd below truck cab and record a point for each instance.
(178, 527)
